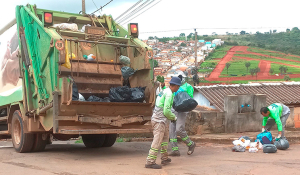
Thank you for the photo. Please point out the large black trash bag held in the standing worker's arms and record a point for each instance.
(184, 103)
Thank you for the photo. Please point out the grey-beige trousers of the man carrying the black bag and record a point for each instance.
(178, 129)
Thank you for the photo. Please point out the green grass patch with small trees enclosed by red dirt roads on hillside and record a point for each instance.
(238, 68)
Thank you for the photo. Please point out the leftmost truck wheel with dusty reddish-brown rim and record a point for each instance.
(22, 142)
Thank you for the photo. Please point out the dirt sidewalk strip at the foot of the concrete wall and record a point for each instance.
(227, 138)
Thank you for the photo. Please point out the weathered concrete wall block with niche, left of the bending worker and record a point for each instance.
(239, 120)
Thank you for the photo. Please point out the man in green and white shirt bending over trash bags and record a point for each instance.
(275, 113)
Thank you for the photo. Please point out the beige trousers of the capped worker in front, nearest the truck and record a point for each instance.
(160, 141)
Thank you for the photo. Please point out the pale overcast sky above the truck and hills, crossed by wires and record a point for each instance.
(167, 15)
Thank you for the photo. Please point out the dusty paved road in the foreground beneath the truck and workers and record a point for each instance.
(129, 158)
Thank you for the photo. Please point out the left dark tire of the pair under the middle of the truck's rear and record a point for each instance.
(93, 140)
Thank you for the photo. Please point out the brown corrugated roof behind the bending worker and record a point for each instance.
(286, 93)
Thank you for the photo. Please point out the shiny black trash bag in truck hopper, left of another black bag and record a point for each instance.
(120, 94)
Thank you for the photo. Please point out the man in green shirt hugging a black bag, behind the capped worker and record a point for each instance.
(178, 127)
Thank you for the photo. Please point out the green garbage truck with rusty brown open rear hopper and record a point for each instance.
(48, 56)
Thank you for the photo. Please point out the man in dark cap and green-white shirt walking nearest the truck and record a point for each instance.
(160, 124)
